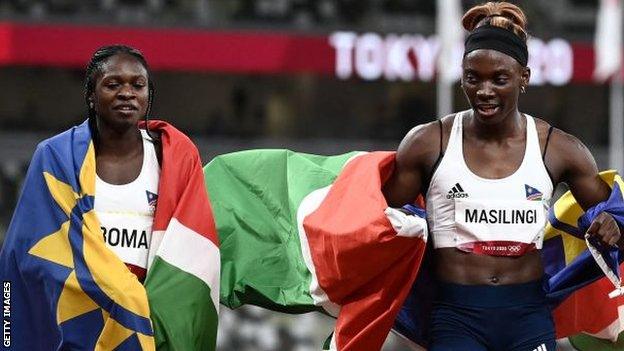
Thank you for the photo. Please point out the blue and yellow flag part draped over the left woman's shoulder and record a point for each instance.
(62, 288)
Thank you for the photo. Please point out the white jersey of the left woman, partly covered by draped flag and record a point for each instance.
(126, 212)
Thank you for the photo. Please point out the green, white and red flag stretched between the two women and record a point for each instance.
(302, 232)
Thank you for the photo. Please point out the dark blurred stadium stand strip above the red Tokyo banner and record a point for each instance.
(571, 17)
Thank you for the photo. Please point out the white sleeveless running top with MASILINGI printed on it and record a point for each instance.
(500, 217)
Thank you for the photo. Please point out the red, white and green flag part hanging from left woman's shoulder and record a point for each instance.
(183, 277)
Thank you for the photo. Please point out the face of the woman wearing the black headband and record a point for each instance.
(491, 81)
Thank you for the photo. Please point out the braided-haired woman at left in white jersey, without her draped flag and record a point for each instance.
(118, 95)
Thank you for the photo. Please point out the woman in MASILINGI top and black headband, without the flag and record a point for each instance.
(487, 174)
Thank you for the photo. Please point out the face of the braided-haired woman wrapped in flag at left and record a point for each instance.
(121, 92)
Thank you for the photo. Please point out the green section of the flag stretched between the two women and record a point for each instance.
(255, 196)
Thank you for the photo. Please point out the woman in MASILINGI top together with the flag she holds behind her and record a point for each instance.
(487, 175)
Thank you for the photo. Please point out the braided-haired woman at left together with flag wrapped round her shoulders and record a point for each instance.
(101, 203)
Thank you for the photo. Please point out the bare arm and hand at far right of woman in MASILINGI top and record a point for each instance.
(574, 165)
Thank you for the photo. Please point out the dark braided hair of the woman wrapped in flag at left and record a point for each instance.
(94, 67)
